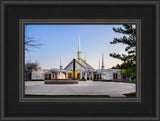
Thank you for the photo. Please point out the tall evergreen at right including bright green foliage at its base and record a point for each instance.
(129, 60)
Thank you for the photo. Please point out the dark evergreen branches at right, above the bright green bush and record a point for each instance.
(128, 39)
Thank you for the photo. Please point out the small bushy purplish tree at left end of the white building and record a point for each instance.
(32, 65)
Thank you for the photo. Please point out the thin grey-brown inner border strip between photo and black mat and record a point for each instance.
(23, 22)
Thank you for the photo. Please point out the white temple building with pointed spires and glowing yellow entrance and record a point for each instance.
(78, 69)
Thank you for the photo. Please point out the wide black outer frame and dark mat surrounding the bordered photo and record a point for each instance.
(12, 108)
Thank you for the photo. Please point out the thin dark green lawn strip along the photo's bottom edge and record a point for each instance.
(30, 95)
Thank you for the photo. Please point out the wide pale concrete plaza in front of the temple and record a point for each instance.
(114, 89)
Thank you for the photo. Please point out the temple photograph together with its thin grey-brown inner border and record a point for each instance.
(80, 77)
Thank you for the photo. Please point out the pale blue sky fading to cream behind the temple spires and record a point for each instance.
(62, 40)
